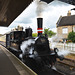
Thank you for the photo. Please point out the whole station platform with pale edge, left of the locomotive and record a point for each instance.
(11, 65)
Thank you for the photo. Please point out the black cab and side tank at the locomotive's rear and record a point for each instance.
(13, 41)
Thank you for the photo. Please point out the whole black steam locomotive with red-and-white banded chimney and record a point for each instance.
(34, 52)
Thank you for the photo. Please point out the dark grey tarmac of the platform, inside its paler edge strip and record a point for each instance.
(6, 66)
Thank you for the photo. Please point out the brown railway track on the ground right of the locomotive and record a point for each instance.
(67, 66)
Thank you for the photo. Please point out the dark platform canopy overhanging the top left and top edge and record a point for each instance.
(10, 9)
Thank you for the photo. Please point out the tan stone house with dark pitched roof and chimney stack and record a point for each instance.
(65, 24)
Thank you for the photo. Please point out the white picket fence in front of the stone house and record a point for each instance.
(64, 46)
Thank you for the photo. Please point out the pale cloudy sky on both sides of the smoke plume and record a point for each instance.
(51, 13)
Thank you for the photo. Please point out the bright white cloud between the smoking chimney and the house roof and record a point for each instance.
(54, 10)
